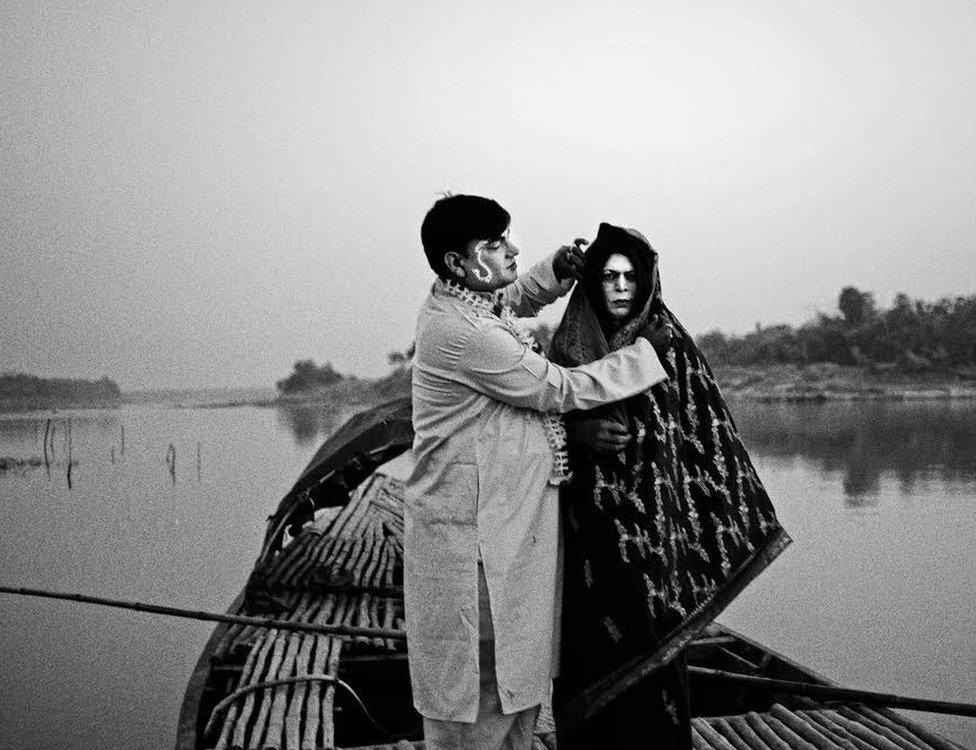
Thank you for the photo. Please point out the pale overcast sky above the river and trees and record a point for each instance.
(196, 194)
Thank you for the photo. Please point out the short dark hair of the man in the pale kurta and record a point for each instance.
(456, 220)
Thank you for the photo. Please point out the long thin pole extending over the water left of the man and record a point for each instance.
(338, 631)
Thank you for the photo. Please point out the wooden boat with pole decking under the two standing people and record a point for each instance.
(333, 556)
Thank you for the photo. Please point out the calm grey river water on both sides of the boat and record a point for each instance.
(878, 590)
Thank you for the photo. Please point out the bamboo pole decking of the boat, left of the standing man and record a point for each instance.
(314, 579)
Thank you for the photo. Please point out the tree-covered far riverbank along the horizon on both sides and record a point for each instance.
(913, 350)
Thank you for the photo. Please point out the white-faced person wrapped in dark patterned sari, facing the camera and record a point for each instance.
(665, 519)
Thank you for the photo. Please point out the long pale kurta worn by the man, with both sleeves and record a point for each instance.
(480, 487)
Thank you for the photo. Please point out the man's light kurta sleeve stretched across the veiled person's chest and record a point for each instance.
(495, 363)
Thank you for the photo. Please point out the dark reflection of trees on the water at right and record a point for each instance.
(913, 442)
